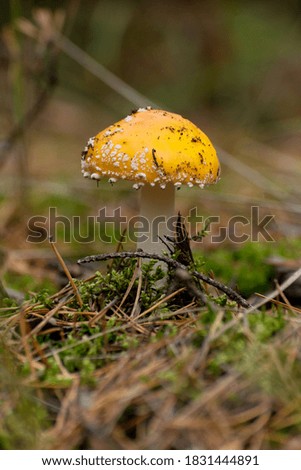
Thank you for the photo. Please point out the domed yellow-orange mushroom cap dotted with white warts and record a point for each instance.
(152, 146)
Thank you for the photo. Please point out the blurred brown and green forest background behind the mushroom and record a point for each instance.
(70, 68)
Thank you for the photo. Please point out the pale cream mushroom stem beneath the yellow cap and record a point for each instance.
(157, 206)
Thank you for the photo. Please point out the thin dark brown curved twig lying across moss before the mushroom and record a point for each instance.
(173, 264)
